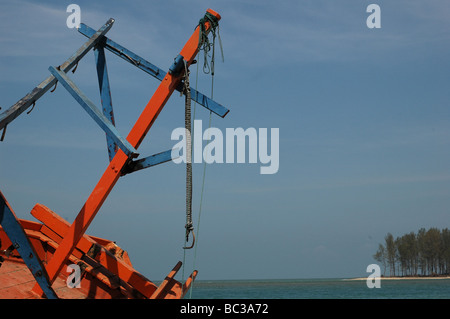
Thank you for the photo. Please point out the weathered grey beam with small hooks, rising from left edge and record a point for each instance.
(14, 111)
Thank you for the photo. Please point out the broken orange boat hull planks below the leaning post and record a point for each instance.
(106, 273)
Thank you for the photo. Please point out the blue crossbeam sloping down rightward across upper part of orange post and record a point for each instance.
(154, 71)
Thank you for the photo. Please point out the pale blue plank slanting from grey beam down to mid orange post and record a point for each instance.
(94, 112)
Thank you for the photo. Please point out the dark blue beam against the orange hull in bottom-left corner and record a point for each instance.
(19, 239)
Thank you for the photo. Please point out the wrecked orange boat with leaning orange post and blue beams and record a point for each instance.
(52, 258)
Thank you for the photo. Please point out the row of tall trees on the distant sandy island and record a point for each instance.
(425, 253)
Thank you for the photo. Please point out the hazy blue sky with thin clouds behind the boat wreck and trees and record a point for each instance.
(363, 114)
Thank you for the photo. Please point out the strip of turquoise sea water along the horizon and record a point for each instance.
(320, 289)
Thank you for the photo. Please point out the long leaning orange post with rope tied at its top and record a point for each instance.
(113, 171)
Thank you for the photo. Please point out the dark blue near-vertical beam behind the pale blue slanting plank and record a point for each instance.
(105, 95)
